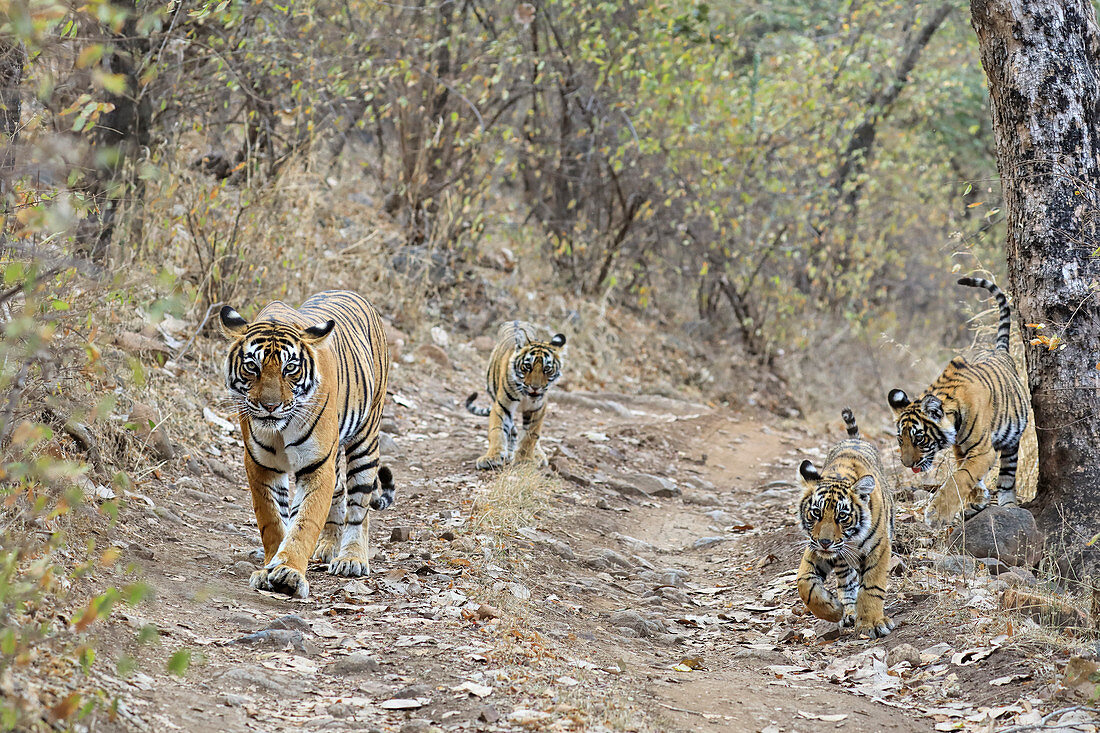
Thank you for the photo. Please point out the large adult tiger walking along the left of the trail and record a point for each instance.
(309, 386)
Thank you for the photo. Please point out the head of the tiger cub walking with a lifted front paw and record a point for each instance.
(834, 511)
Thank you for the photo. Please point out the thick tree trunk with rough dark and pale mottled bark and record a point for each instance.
(1042, 59)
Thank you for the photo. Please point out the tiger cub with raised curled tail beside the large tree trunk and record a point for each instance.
(978, 407)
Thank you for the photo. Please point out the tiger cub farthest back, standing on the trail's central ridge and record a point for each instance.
(521, 371)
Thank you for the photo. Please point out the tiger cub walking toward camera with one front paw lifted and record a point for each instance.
(848, 515)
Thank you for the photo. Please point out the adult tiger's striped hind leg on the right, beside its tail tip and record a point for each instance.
(354, 560)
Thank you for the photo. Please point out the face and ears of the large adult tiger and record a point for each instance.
(271, 370)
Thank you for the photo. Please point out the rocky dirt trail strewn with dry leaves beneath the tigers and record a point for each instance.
(653, 590)
